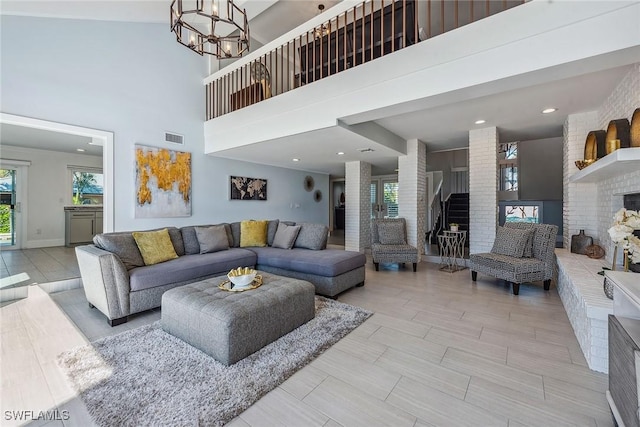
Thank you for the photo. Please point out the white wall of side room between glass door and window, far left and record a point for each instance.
(48, 190)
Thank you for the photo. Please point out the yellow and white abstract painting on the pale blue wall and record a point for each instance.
(163, 182)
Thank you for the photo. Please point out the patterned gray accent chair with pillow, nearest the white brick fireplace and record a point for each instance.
(522, 252)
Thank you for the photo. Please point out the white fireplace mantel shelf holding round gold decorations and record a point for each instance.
(617, 163)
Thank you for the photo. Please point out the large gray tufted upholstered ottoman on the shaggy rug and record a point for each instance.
(229, 326)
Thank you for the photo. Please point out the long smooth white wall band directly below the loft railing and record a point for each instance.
(436, 72)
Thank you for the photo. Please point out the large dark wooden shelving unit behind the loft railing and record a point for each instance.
(361, 40)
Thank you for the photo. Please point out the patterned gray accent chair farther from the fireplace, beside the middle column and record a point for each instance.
(389, 243)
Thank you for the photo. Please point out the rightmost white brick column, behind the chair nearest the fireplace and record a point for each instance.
(483, 188)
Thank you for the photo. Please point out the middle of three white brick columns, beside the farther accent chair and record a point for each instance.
(412, 190)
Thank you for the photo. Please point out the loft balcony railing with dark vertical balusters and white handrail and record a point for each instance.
(353, 36)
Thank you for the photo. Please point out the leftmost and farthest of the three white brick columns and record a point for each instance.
(357, 206)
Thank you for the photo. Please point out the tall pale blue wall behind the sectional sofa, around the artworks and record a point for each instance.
(135, 80)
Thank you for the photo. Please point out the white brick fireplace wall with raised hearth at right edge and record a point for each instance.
(590, 206)
